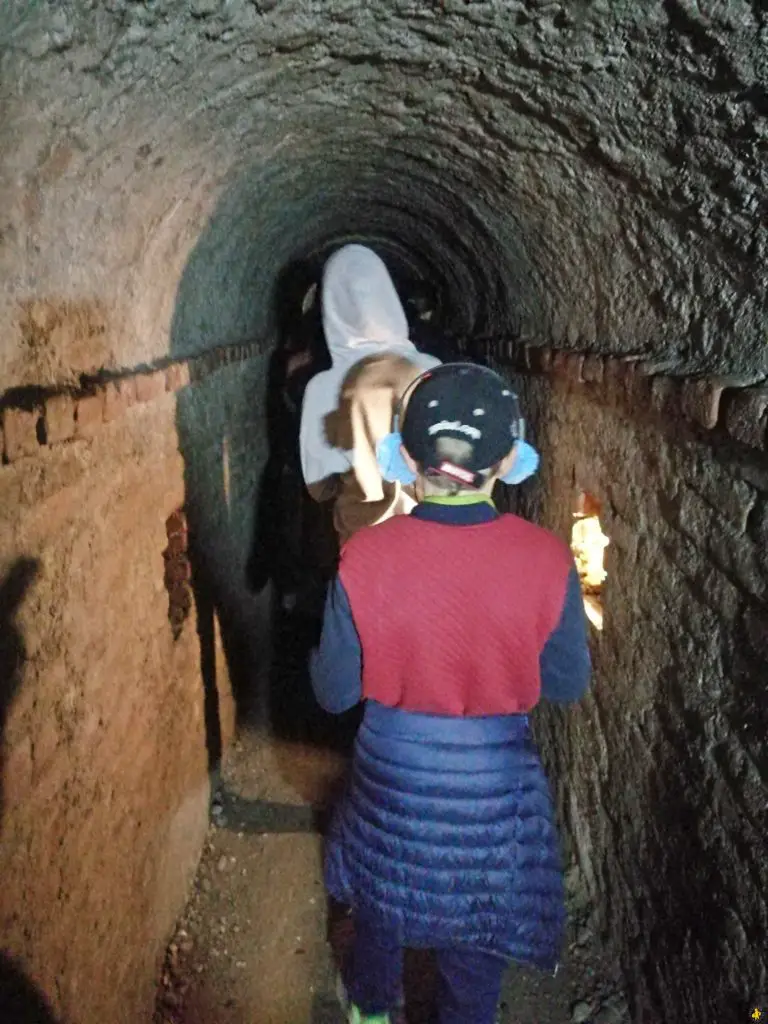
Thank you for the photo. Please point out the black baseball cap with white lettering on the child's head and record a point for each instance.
(466, 402)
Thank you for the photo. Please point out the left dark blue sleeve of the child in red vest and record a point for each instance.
(335, 665)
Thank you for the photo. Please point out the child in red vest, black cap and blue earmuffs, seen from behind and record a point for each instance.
(450, 624)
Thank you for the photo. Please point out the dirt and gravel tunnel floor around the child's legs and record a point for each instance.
(258, 944)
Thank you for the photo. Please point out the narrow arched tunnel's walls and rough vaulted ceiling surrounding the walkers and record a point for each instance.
(581, 192)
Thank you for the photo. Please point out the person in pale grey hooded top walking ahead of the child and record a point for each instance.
(349, 409)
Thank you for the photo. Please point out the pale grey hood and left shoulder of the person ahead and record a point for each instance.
(362, 317)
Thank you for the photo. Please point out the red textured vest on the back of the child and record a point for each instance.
(452, 620)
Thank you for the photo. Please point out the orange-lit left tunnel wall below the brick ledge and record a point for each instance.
(105, 715)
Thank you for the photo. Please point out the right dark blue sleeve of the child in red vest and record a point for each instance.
(565, 663)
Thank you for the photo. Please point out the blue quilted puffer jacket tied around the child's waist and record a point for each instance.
(446, 836)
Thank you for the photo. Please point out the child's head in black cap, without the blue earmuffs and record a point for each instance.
(460, 430)
